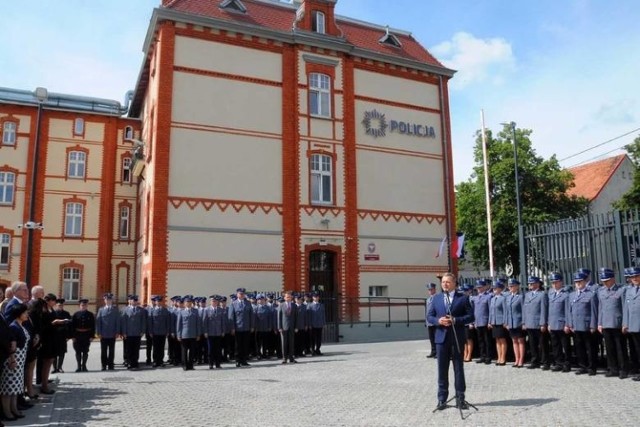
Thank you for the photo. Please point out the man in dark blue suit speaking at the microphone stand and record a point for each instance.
(450, 311)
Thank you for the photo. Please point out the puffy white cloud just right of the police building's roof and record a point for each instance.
(477, 60)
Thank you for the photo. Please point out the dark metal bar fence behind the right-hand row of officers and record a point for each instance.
(609, 240)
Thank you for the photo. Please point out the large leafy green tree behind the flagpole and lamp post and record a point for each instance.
(543, 196)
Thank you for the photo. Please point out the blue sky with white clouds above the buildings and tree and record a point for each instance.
(569, 70)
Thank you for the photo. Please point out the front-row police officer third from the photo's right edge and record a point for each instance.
(582, 321)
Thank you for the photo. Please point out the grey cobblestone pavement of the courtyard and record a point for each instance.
(381, 384)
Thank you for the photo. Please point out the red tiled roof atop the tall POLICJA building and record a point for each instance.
(281, 18)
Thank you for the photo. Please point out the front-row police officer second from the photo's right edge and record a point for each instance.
(610, 301)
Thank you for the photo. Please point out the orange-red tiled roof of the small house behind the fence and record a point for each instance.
(590, 178)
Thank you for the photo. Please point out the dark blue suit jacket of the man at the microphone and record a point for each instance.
(461, 312)
